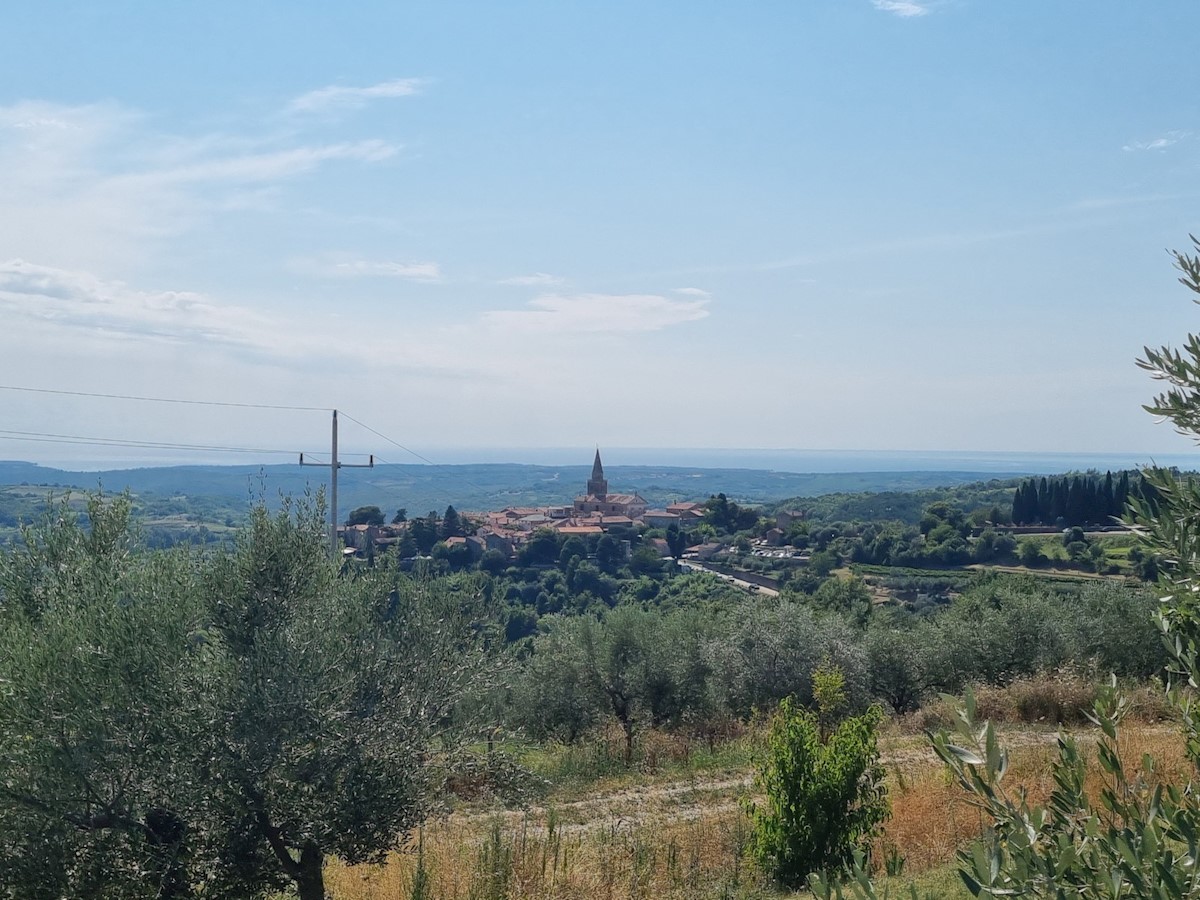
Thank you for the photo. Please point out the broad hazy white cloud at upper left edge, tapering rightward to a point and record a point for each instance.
(95, 188)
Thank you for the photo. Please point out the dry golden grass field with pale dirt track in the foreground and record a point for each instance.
(679, 829)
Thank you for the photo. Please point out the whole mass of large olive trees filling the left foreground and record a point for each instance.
(226, 722)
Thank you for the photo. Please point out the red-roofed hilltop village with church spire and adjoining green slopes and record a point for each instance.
(1019, 526)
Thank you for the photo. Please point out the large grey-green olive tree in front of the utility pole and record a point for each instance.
(337, 692)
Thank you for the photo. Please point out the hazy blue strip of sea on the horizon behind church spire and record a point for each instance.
(811, 461)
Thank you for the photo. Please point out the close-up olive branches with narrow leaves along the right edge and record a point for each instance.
(1141, 838)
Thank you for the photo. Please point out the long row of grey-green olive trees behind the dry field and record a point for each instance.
(699, 664)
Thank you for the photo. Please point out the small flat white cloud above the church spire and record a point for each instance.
(597, 314)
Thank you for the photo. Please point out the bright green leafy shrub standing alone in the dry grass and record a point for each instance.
(826, 800)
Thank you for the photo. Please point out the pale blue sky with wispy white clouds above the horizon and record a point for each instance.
(851, 224)
